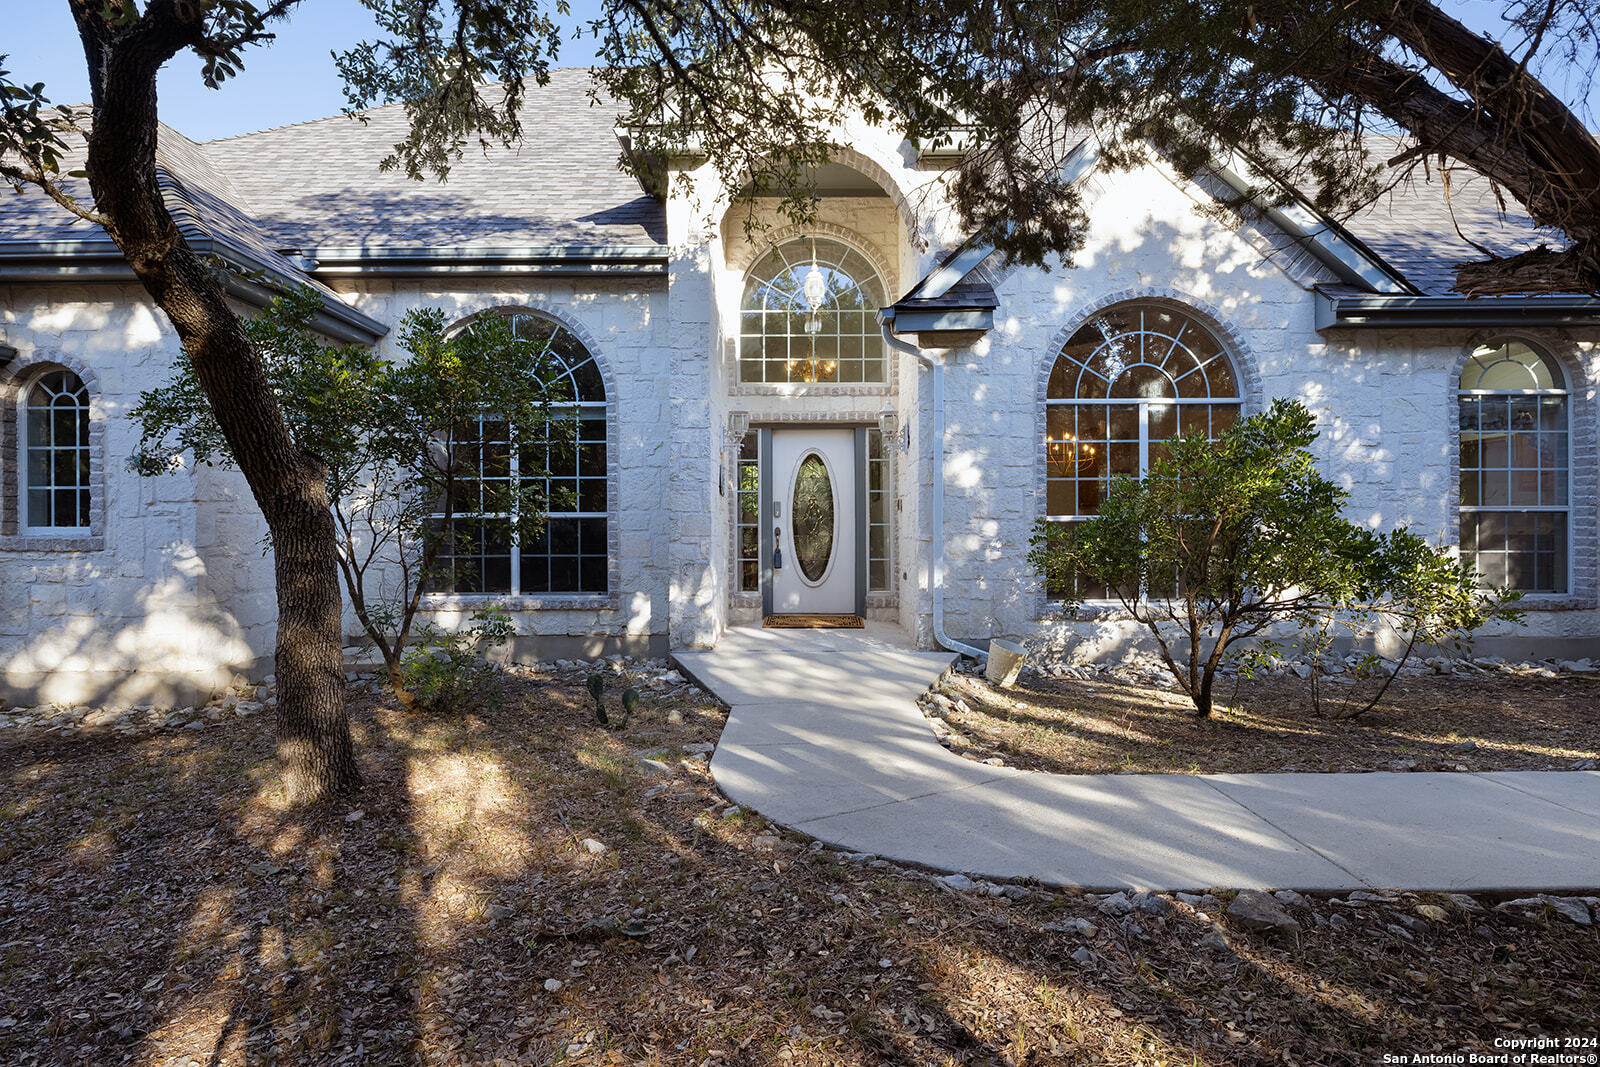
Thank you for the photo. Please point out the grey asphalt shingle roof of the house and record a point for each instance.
(319, 185)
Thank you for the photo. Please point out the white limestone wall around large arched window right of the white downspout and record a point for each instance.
(1386, 404)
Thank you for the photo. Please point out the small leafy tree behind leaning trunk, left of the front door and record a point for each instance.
(410, 449)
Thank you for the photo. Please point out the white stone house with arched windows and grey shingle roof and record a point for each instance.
(718, 398)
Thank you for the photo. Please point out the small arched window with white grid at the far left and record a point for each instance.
(57, 465)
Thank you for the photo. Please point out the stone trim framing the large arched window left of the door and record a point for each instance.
(612, 601)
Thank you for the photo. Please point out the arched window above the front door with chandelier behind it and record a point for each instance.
(810, 316)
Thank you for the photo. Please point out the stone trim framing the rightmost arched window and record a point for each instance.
(1583, 486)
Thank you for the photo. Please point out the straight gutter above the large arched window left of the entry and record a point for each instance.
(396, 262)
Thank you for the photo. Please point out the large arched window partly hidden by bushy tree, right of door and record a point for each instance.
(1129, 382)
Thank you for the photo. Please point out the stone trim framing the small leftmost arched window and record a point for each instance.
(15, 383)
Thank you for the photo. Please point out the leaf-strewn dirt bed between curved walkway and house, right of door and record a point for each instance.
(1103, 727)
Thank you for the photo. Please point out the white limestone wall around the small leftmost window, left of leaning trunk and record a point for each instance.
(126, 613)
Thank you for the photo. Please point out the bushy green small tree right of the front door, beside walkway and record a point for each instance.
(1228, 538)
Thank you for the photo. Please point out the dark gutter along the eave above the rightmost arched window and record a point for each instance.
(1433, 313)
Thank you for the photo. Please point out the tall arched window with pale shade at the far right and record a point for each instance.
(1514, 468)
